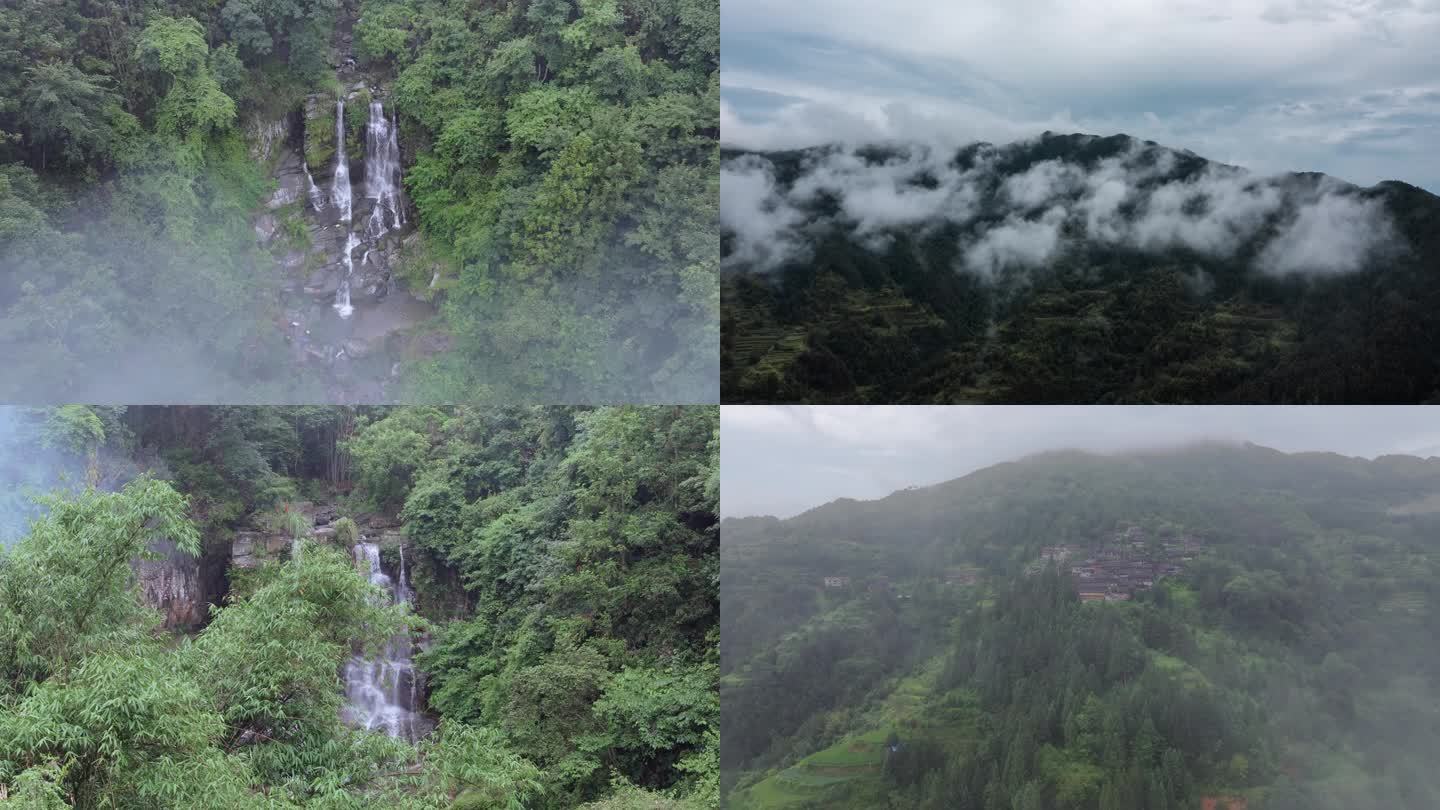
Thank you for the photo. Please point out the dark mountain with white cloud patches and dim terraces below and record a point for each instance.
(1071, 269)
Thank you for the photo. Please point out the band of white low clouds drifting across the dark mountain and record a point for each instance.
(1025, 220)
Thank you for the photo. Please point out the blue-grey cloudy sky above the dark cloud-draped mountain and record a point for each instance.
(1346, 87)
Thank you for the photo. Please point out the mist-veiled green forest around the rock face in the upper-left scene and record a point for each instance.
(559, 158)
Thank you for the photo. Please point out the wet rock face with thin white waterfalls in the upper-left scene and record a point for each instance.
(341, 298)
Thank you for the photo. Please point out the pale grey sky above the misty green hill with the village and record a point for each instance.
(786, 459)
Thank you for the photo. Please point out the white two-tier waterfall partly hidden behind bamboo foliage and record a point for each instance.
(384, 694)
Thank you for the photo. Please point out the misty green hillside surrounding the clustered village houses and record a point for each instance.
(1290, 665)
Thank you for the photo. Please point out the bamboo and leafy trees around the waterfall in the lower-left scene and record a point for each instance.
(565, 613)
